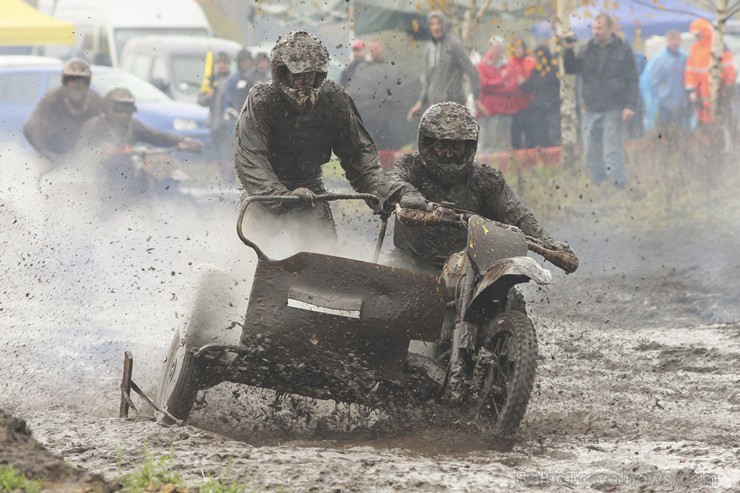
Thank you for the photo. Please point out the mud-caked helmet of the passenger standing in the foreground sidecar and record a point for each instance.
(298, 52)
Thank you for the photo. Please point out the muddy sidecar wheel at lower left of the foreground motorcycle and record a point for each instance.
(180, 382)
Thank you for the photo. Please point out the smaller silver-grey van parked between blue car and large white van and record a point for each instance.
(175, 64)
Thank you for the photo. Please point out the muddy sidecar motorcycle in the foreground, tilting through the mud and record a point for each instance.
(334, 328)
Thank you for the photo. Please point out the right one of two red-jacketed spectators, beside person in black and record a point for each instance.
(522, 63)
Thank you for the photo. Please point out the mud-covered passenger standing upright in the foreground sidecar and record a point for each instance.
(289, 128)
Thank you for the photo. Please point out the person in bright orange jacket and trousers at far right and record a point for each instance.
(698, 68)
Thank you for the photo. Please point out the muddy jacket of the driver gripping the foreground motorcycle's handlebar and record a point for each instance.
(483, 191)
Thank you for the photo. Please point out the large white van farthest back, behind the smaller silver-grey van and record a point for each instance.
(103, 27)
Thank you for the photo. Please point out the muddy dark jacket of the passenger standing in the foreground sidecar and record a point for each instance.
(279, 149)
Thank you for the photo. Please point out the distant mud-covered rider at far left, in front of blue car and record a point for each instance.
(54, 126)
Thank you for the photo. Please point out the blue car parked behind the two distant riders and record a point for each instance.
(25, 79)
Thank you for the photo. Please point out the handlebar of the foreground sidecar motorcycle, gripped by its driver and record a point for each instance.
(459, 218)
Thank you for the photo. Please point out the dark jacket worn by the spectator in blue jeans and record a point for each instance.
(614, 85)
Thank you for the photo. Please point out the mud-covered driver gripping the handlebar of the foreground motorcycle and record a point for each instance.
(444, 170)
